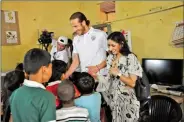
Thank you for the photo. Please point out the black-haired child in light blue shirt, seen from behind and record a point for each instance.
(89, 99)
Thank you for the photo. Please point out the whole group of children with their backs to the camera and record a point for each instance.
(37, 94)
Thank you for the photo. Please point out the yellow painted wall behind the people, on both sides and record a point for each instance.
(150, 34)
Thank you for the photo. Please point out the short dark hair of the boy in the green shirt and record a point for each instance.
(34, 59)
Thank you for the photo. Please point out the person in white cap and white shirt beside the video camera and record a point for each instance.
(61, 53)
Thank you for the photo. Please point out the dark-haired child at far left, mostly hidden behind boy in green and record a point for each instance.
(11, 82)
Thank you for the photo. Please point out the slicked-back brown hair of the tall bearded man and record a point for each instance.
(80, 16)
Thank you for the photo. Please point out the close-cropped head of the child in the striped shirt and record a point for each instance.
(65, 91)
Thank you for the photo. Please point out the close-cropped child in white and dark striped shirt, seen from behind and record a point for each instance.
(69, 112)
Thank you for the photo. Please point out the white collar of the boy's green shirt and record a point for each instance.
(35, 84)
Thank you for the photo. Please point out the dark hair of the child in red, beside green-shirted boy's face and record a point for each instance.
(58, 68)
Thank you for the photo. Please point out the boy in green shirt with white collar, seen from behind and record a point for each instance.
(31, 102)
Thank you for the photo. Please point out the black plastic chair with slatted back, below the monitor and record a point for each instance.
(164, 109)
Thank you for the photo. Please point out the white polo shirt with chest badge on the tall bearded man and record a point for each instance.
(91, 48)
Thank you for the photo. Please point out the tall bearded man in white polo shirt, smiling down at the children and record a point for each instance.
(89, 47)
